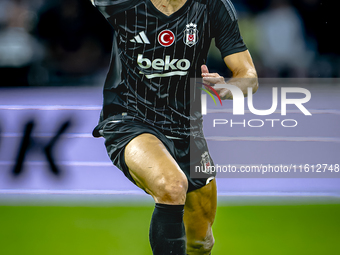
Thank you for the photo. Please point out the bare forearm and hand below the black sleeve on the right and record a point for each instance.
(244, 75)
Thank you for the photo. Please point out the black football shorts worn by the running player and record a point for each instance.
(118, 131)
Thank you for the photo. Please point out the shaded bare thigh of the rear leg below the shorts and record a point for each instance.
(199, 213)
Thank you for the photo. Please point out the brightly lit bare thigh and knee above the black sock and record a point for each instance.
(154, 169)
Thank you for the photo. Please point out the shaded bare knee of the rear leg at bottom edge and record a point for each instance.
(202, 245)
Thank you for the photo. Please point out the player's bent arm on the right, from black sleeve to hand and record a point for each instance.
(233, 50)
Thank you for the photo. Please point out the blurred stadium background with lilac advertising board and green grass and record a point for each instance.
(54, 56)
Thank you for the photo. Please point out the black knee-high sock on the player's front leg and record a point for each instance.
(167, 232)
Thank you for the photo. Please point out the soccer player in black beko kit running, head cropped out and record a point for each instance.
(151, 110)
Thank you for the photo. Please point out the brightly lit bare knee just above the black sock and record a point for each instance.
(171, 191)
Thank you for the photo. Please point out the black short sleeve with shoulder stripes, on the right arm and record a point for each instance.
(225, 28)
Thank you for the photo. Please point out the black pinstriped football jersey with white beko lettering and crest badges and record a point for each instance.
(156, 58)
